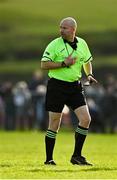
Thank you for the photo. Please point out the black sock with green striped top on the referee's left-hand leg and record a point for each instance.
(50, 142)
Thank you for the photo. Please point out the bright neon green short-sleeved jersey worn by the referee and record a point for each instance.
(57, 51)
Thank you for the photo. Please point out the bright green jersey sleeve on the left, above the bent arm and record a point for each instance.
(49, 53)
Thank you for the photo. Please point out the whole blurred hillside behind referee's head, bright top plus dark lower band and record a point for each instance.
(27, 25)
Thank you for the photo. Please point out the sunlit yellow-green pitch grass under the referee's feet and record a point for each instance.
(22, 155)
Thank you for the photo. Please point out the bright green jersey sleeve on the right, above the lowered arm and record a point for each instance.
(88, 56)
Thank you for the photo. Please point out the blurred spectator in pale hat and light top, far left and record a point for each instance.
(22, 101)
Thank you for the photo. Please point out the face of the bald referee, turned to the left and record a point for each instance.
(66, 30)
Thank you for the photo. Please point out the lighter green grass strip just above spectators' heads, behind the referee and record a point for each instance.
(25, 66)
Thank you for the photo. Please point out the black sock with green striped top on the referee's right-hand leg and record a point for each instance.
(80, 136)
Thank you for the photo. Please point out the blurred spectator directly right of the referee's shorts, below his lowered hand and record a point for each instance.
(95, 95)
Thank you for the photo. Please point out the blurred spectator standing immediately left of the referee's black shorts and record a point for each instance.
(38, 90)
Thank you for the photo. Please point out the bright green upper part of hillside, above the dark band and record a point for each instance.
(92, 15)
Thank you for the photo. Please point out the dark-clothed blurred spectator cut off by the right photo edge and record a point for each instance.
(110, 103)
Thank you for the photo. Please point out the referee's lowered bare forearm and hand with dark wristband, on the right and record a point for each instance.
(88, 71)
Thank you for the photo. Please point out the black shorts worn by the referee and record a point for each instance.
(60, 93)
